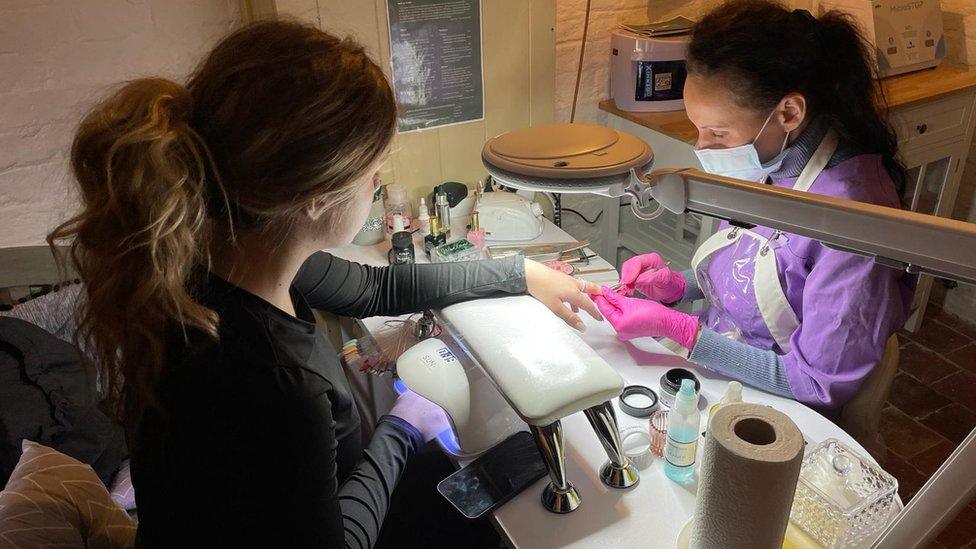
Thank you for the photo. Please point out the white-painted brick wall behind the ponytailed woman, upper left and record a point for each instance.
(59, 56)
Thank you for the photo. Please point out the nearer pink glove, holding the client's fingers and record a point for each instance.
(634, 317)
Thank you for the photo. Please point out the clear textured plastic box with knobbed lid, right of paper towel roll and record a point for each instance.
(842, 499)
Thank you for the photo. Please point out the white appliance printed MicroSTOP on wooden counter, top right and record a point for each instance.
(906, 34)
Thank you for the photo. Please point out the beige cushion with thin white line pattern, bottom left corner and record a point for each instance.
(53, 500)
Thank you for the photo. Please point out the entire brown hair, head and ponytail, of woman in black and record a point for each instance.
(283, 112)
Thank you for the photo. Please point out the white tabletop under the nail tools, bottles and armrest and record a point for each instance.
(653, 512)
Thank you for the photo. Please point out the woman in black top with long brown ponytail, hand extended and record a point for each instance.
(203, 210)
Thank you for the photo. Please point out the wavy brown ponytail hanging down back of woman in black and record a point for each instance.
(142, 230)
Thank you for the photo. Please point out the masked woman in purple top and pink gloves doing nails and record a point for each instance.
(779, 98)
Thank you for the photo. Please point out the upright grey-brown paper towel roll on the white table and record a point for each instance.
(748, 475)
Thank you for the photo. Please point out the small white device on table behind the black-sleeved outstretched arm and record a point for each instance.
(507, 217)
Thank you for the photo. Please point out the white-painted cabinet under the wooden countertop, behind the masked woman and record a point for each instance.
(933, 136)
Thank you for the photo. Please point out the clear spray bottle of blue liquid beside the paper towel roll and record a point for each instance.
(682, 445)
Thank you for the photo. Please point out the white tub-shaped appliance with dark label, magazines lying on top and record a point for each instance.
(647, 74)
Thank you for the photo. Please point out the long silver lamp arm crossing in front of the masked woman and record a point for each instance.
(897, 238)
